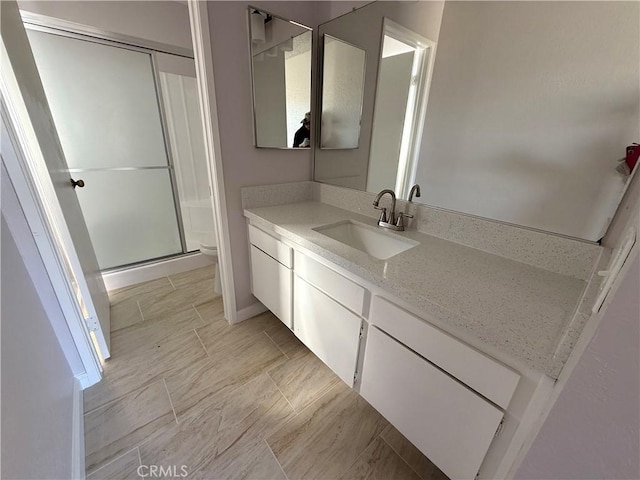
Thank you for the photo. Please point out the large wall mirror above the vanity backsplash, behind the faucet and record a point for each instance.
(528, 111)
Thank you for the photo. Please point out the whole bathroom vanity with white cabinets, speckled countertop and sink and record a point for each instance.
(457, 347)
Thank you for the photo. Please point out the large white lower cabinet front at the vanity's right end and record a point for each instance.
(449, 423)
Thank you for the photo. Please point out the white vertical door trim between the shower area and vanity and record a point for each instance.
(199, 19)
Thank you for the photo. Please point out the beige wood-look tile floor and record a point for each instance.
(186, 393)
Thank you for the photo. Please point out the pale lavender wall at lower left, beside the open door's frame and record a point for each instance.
(37, 380)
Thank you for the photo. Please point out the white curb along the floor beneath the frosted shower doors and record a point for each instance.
(144, 273)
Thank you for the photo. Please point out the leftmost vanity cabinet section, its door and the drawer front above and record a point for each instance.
(271, 275)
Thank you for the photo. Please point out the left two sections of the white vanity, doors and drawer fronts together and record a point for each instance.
(321, 306)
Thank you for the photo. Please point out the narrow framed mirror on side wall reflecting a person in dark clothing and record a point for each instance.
(281, 76)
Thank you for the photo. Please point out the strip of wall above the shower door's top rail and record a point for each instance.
(159, 21)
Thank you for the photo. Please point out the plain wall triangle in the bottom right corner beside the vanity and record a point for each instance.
(593, 430)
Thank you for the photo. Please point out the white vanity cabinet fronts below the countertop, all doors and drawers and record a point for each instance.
(448, 398)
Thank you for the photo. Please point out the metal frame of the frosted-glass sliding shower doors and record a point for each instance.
(67, 29)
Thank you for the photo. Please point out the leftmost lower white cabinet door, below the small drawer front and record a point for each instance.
(271, 284)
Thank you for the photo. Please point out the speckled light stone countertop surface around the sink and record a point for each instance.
(519, 309)
